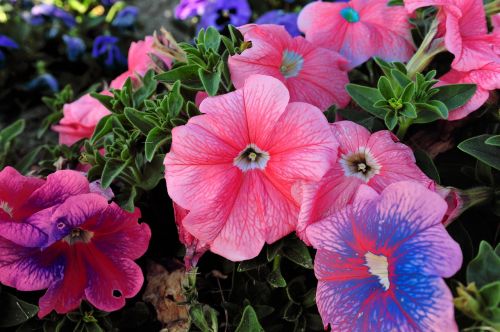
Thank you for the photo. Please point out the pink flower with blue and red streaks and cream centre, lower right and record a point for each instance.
(380, 262)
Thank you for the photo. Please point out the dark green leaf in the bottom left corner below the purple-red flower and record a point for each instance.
(15, 311)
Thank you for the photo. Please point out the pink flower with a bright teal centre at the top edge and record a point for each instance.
(359, 29)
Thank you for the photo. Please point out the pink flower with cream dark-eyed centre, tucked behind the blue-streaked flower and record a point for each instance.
(376, 160)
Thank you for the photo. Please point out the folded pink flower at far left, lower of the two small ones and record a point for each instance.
(80, 119)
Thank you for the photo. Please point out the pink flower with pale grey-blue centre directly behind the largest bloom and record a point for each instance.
(312, 74)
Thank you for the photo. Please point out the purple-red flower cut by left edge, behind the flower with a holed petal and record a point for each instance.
(22, 197)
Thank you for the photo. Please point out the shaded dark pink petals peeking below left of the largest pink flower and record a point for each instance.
(194, 248)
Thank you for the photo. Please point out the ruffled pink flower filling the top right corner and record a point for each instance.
(463, 25)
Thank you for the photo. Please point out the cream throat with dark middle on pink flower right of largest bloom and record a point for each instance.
(360, 164)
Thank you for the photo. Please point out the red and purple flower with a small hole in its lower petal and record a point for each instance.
(91, 256)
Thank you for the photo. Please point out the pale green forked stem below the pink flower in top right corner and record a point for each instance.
(423, 56)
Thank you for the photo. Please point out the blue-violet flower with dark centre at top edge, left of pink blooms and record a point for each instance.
(220, 13)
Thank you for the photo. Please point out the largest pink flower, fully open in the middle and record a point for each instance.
(234, 167)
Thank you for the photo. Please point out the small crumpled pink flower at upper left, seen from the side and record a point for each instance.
(140, 61)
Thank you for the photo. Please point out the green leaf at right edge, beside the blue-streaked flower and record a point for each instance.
(485, 267)
